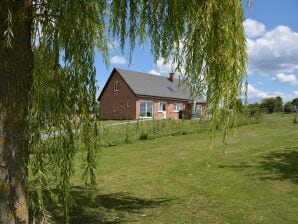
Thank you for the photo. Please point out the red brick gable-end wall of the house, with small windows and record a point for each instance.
(110, 102)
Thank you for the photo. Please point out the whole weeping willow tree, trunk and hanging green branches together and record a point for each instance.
(47, 81)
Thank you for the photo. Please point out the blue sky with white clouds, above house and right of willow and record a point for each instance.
(271, 29)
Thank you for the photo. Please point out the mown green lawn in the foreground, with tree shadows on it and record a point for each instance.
(167, 180)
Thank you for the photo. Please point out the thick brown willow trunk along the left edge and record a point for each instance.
(16, 62)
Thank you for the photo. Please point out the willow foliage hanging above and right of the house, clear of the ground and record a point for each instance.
(204, 39)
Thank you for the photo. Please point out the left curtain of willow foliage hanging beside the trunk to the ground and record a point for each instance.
(63, 104)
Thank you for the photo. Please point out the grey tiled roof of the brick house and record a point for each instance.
(144, 84)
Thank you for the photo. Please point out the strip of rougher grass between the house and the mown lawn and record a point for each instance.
(112, 134)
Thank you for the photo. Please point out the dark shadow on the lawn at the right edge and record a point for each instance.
(281, 165)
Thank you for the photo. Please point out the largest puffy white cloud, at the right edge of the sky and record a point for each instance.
(276, 51)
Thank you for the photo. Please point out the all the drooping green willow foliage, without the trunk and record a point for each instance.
(204, 39)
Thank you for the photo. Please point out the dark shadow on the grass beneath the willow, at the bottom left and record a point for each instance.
(108, 208)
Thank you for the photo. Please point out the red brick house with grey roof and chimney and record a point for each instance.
(133, 95)
